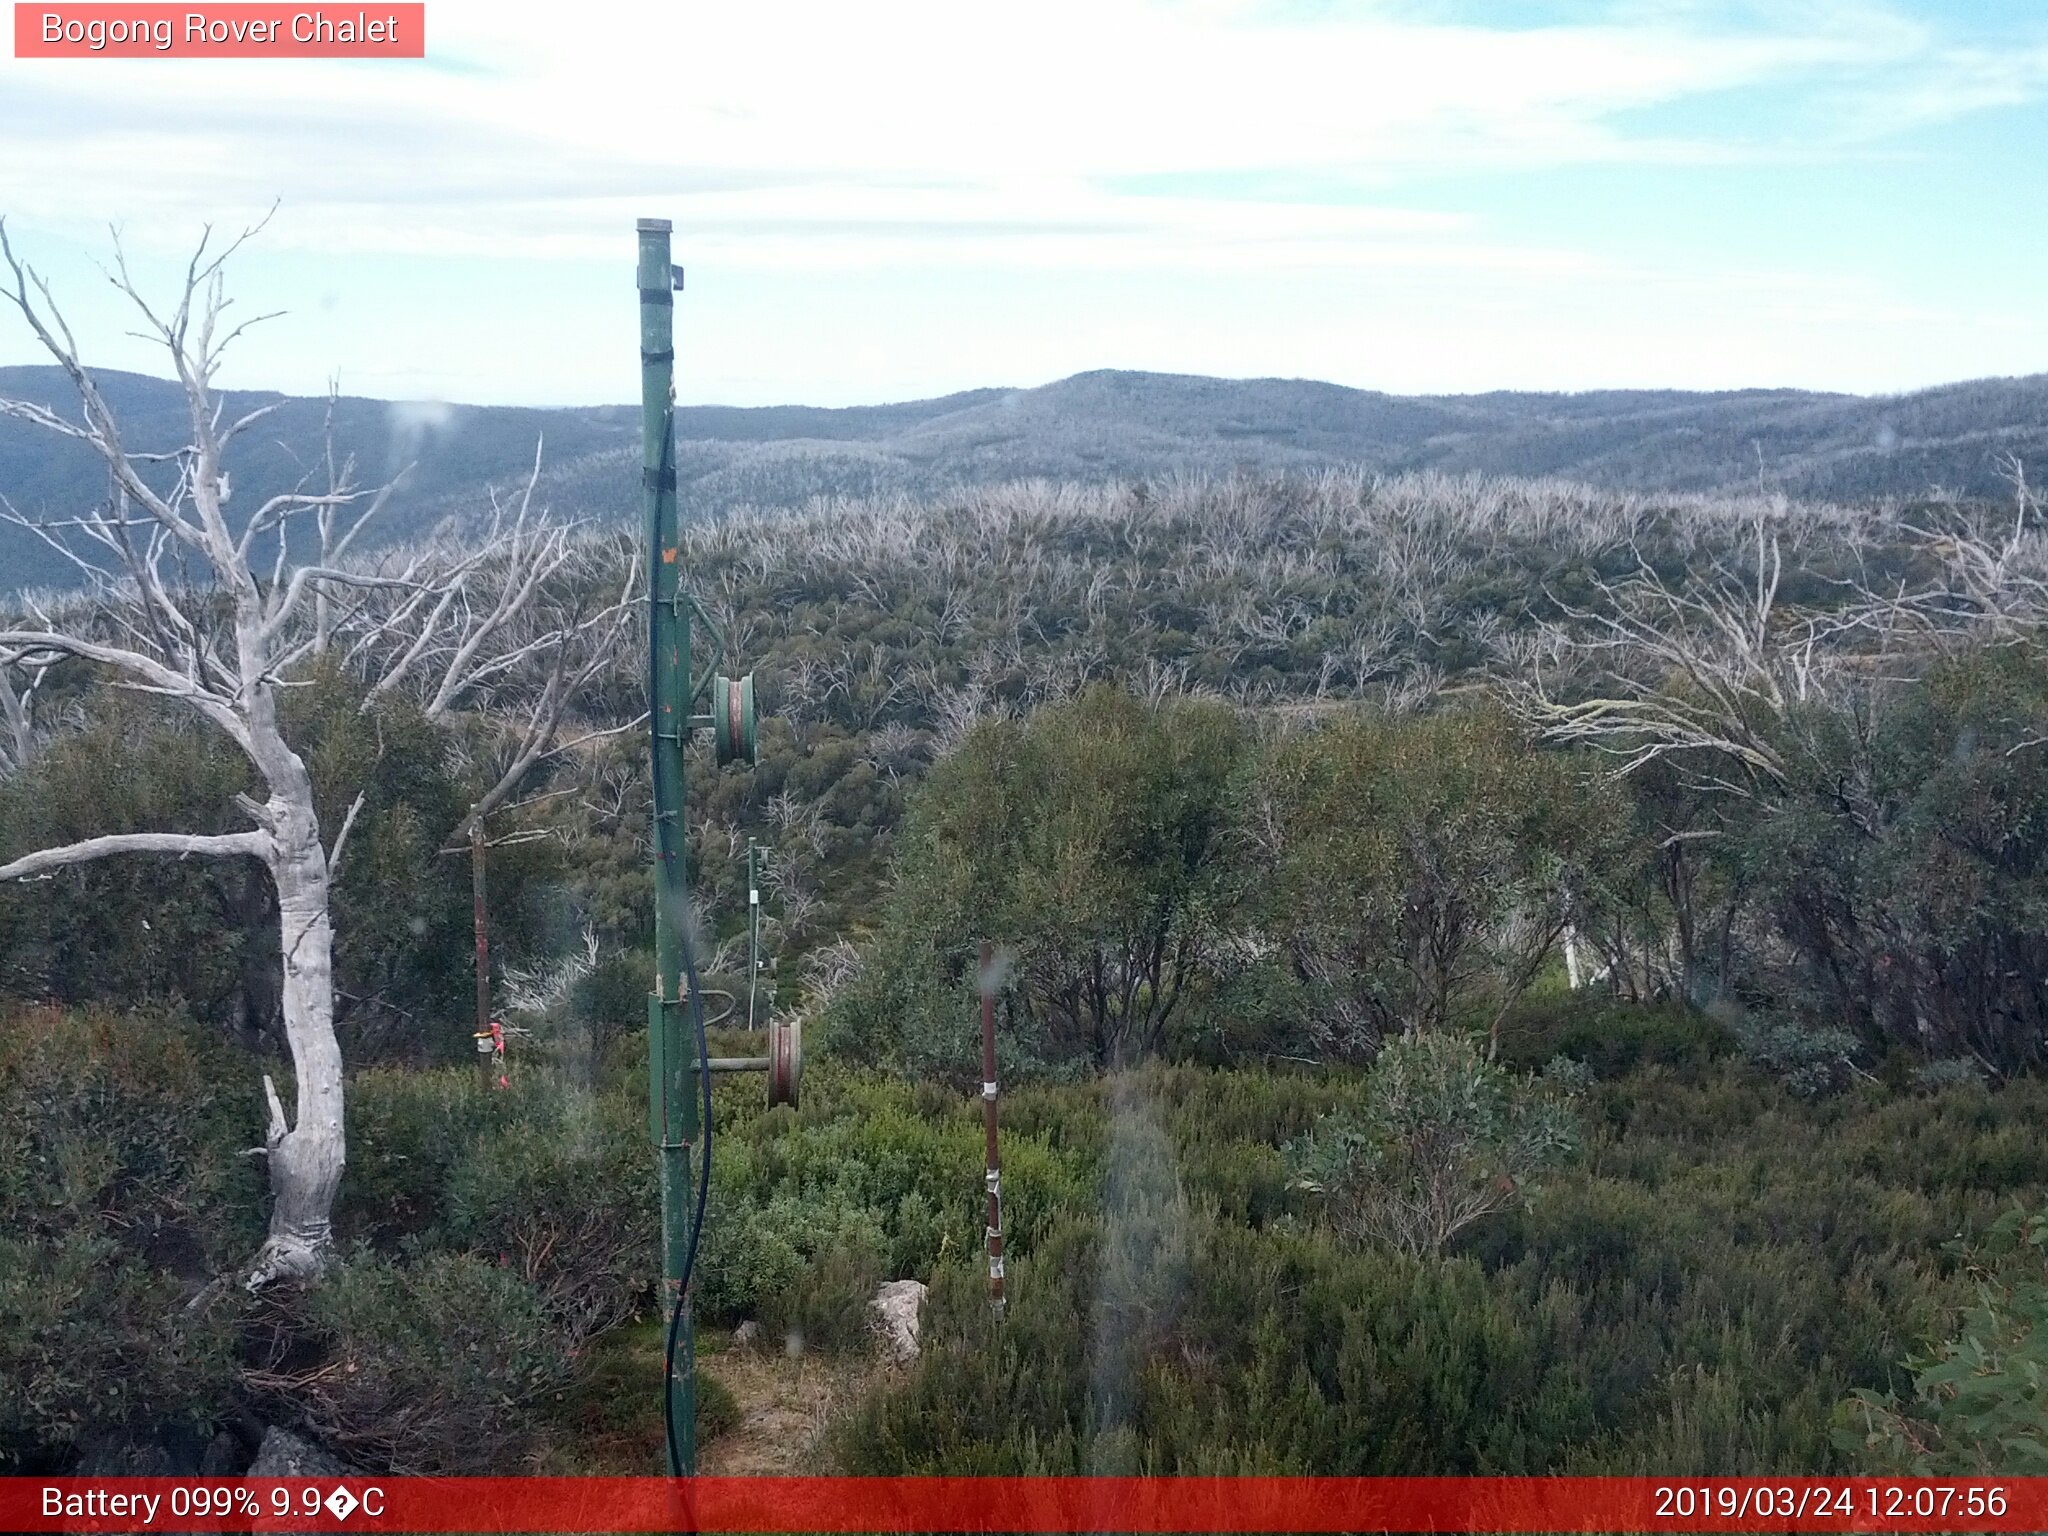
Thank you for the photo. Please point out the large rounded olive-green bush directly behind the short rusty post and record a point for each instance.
(1093, 839)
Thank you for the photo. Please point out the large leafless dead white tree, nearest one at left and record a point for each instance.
(222, 650)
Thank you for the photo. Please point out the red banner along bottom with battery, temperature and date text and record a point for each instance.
(1023, 1504)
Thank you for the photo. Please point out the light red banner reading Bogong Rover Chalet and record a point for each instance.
(220, 32)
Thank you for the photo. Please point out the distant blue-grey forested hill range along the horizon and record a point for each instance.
(1086, 429)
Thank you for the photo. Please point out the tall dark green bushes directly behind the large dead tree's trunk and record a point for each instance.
(202, 933)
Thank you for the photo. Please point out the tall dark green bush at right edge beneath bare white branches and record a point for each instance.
(1906, 865)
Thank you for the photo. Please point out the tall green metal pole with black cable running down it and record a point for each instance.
(673, 1084)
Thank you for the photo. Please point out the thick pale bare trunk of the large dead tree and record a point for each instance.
(306, 1156)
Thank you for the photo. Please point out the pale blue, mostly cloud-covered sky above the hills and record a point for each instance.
(904, 198)
